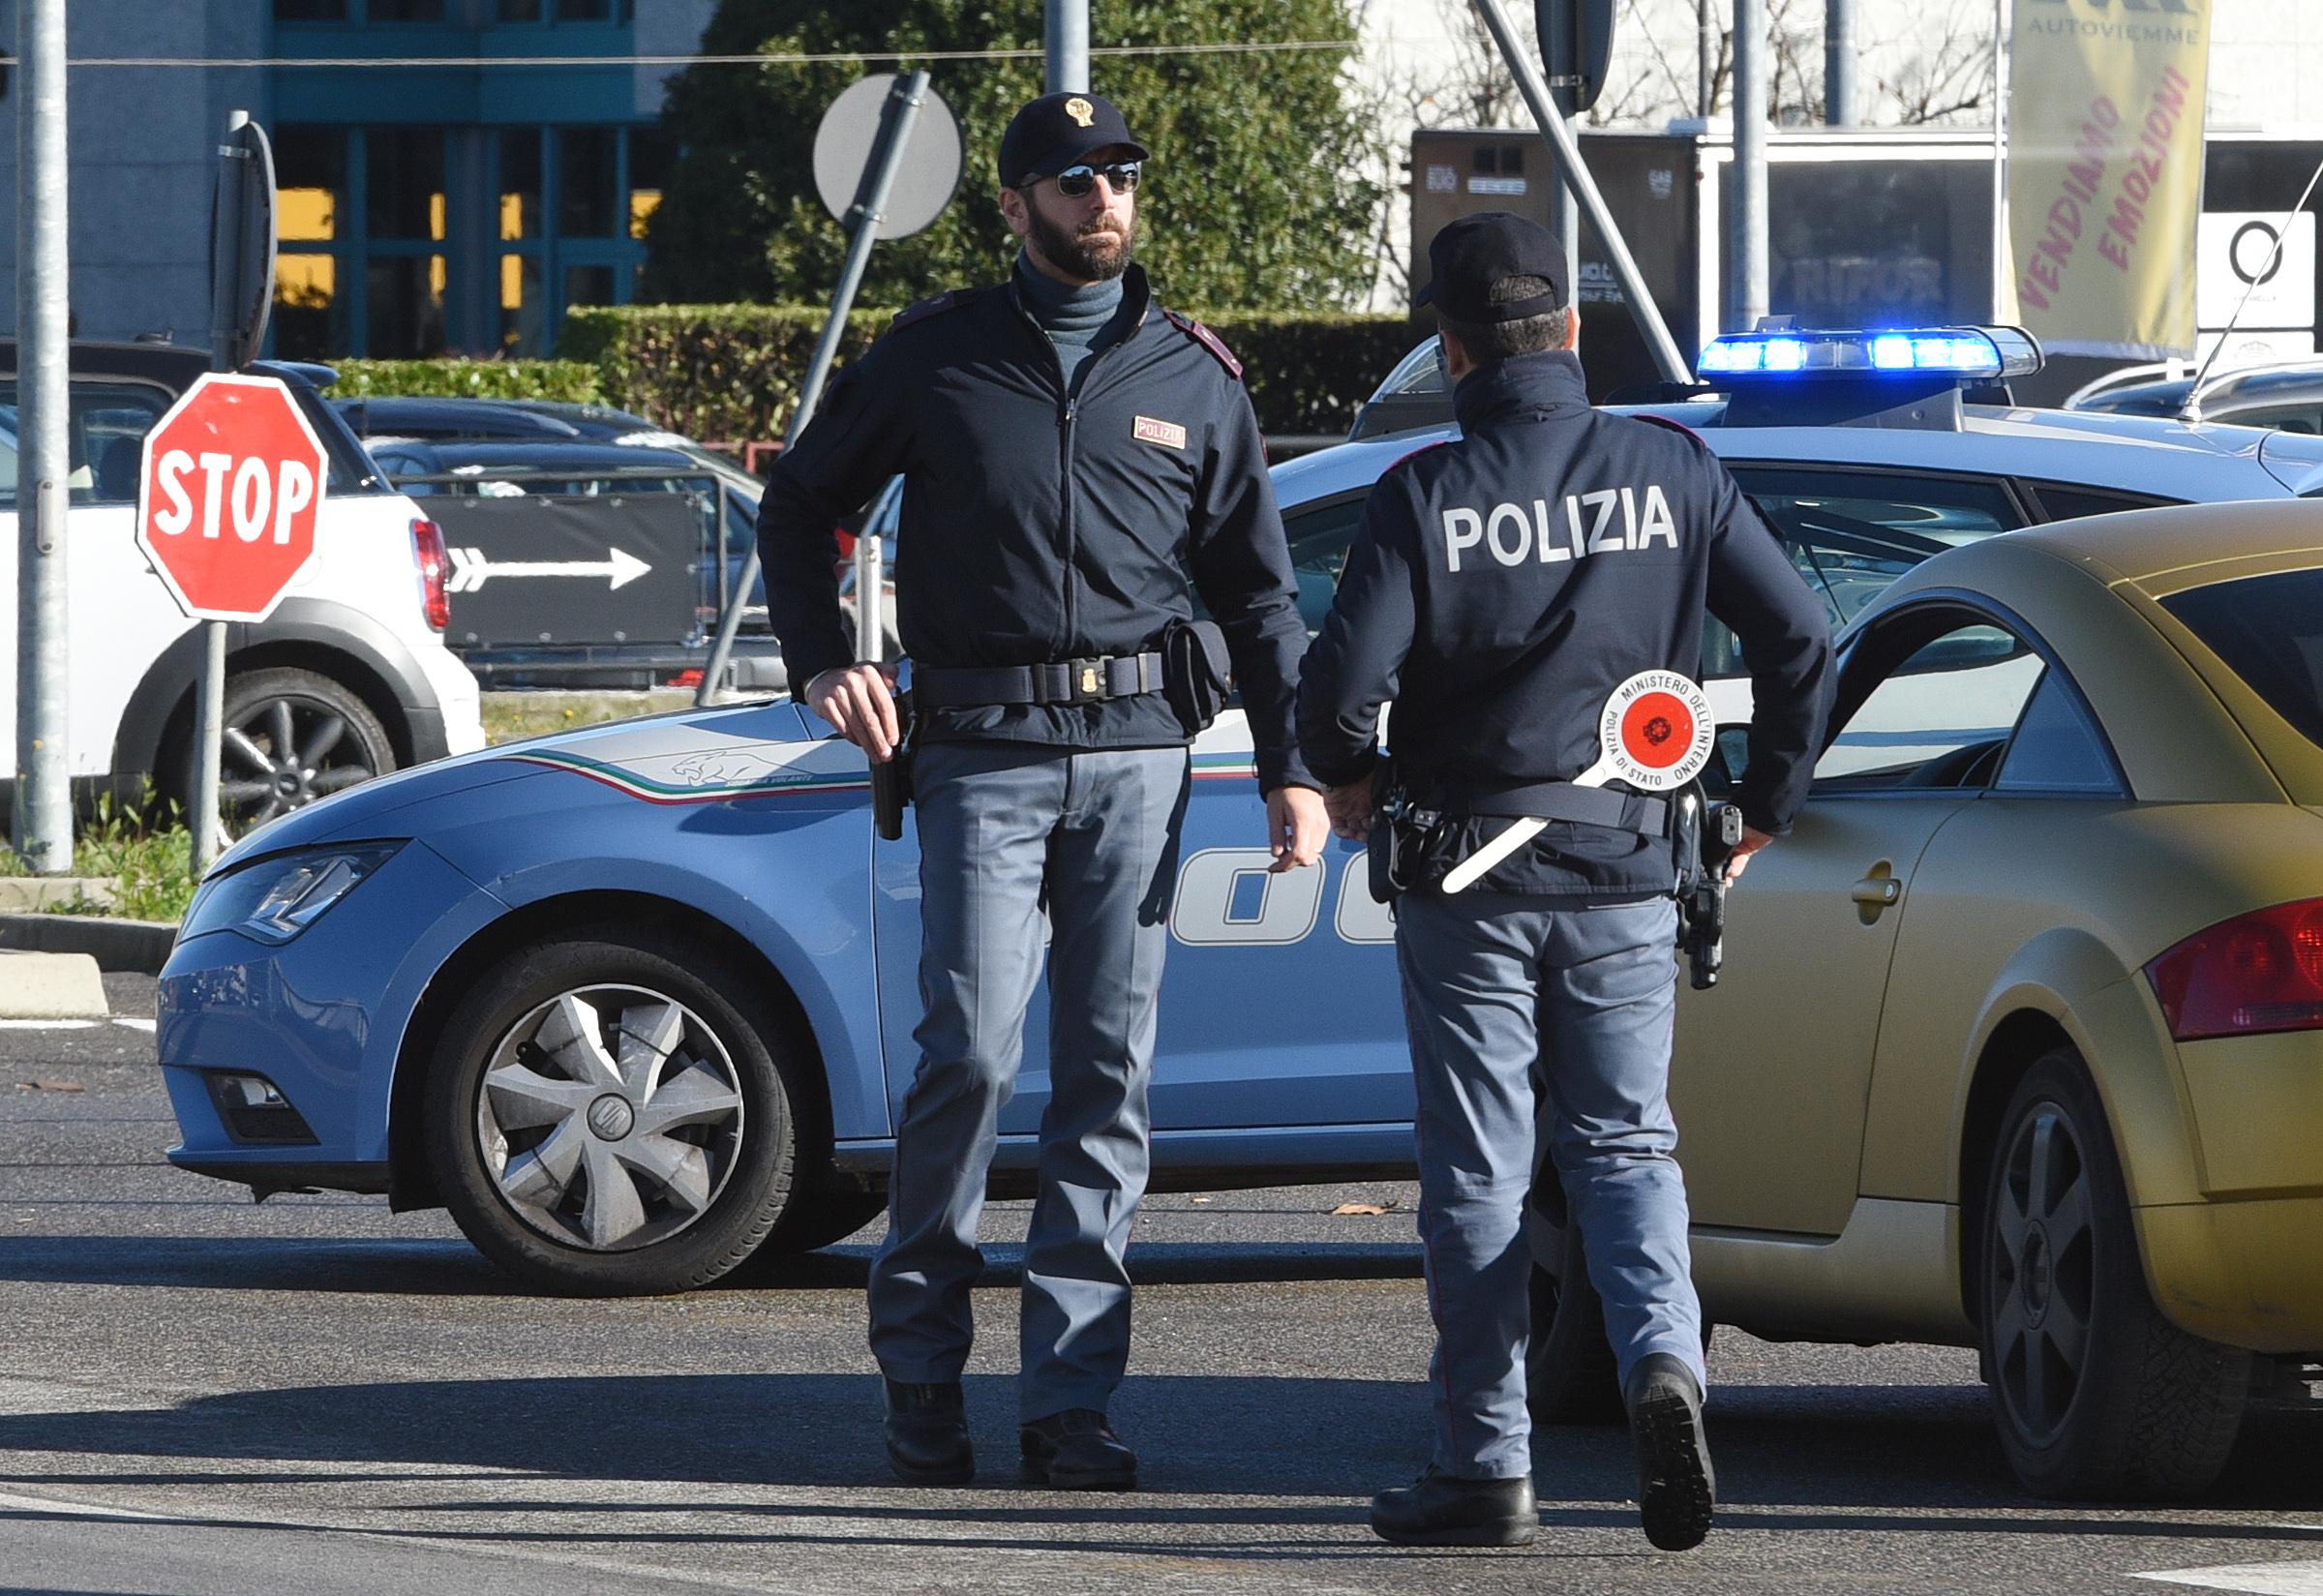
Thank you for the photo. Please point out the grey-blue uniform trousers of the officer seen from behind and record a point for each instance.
(1541, 1021)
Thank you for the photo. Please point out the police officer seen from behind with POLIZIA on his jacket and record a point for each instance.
(1499, 589)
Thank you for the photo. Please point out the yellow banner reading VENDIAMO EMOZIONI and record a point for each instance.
(2106, 171)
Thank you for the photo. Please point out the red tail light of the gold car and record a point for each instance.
(2259, 972)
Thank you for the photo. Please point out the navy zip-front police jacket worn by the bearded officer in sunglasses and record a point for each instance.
(1047, 526)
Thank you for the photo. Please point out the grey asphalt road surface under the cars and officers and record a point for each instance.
(201, 1395)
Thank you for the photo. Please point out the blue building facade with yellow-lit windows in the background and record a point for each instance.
(454, 173)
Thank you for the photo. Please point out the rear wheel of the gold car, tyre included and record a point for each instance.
(2094, 1390)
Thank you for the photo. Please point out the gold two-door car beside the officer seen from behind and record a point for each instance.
(2020, 1042)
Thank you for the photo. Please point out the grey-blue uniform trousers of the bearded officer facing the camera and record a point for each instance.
(1100, 833)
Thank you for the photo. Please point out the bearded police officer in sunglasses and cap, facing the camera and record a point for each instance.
(1077, 466)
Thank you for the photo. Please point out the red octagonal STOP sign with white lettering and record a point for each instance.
(226, 496)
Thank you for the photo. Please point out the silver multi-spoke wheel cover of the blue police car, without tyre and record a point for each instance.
(610, 1119)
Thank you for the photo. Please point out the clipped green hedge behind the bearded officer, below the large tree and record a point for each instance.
(733, 371)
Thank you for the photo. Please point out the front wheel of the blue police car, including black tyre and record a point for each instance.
(605, 1116)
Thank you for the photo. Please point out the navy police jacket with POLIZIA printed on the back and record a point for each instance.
(1504, 584)
